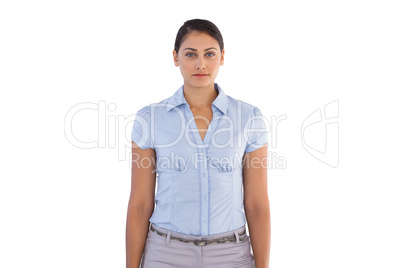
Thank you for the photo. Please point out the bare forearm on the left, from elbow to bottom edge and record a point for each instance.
(137, 227)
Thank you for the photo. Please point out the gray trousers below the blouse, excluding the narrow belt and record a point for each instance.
(161, 252)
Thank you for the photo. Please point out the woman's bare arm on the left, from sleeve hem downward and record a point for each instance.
(141, 203)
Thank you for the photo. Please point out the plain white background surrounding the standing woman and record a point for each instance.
(63, 205)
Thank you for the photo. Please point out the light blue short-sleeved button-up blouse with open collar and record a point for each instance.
(199, 182)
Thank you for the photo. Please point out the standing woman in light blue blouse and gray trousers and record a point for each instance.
(193, 141)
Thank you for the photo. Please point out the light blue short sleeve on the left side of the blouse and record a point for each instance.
(141, 133)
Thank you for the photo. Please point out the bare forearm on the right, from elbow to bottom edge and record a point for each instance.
(259, 225)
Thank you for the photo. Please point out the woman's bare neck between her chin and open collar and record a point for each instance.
(200, 97)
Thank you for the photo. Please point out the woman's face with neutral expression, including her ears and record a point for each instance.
(199, 53)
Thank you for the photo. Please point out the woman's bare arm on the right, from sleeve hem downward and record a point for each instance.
(256, 204)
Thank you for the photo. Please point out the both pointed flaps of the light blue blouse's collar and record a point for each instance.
(221, 101)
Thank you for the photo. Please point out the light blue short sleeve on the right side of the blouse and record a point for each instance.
(257, 133)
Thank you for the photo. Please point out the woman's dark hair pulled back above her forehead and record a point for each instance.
(198, 25)
